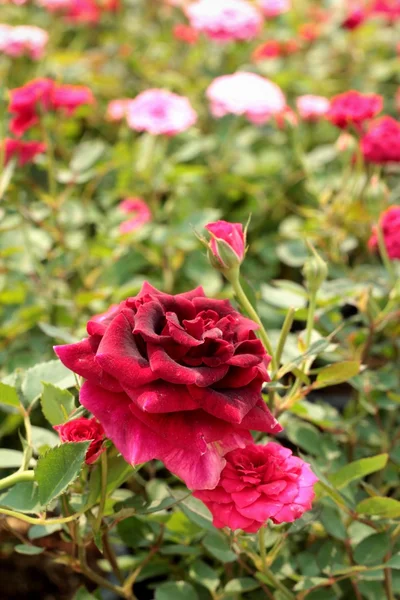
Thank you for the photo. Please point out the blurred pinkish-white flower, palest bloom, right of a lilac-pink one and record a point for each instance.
(248, 94)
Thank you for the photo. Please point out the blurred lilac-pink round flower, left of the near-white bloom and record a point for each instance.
(160, 112)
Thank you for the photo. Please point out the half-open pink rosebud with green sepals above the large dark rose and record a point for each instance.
(227, 237)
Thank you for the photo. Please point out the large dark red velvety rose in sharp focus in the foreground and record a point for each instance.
(177, 378)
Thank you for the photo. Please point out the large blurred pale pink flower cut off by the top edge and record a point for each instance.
(225, 20)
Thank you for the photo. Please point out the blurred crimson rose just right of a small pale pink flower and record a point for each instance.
(353, 108)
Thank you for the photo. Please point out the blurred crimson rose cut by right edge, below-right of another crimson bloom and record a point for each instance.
(381, 143)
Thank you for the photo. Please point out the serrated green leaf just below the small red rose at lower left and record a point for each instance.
(58, 468)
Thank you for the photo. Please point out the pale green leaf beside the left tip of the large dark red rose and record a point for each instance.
(51, 372)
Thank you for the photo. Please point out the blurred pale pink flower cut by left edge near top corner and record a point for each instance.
(23, 39)
